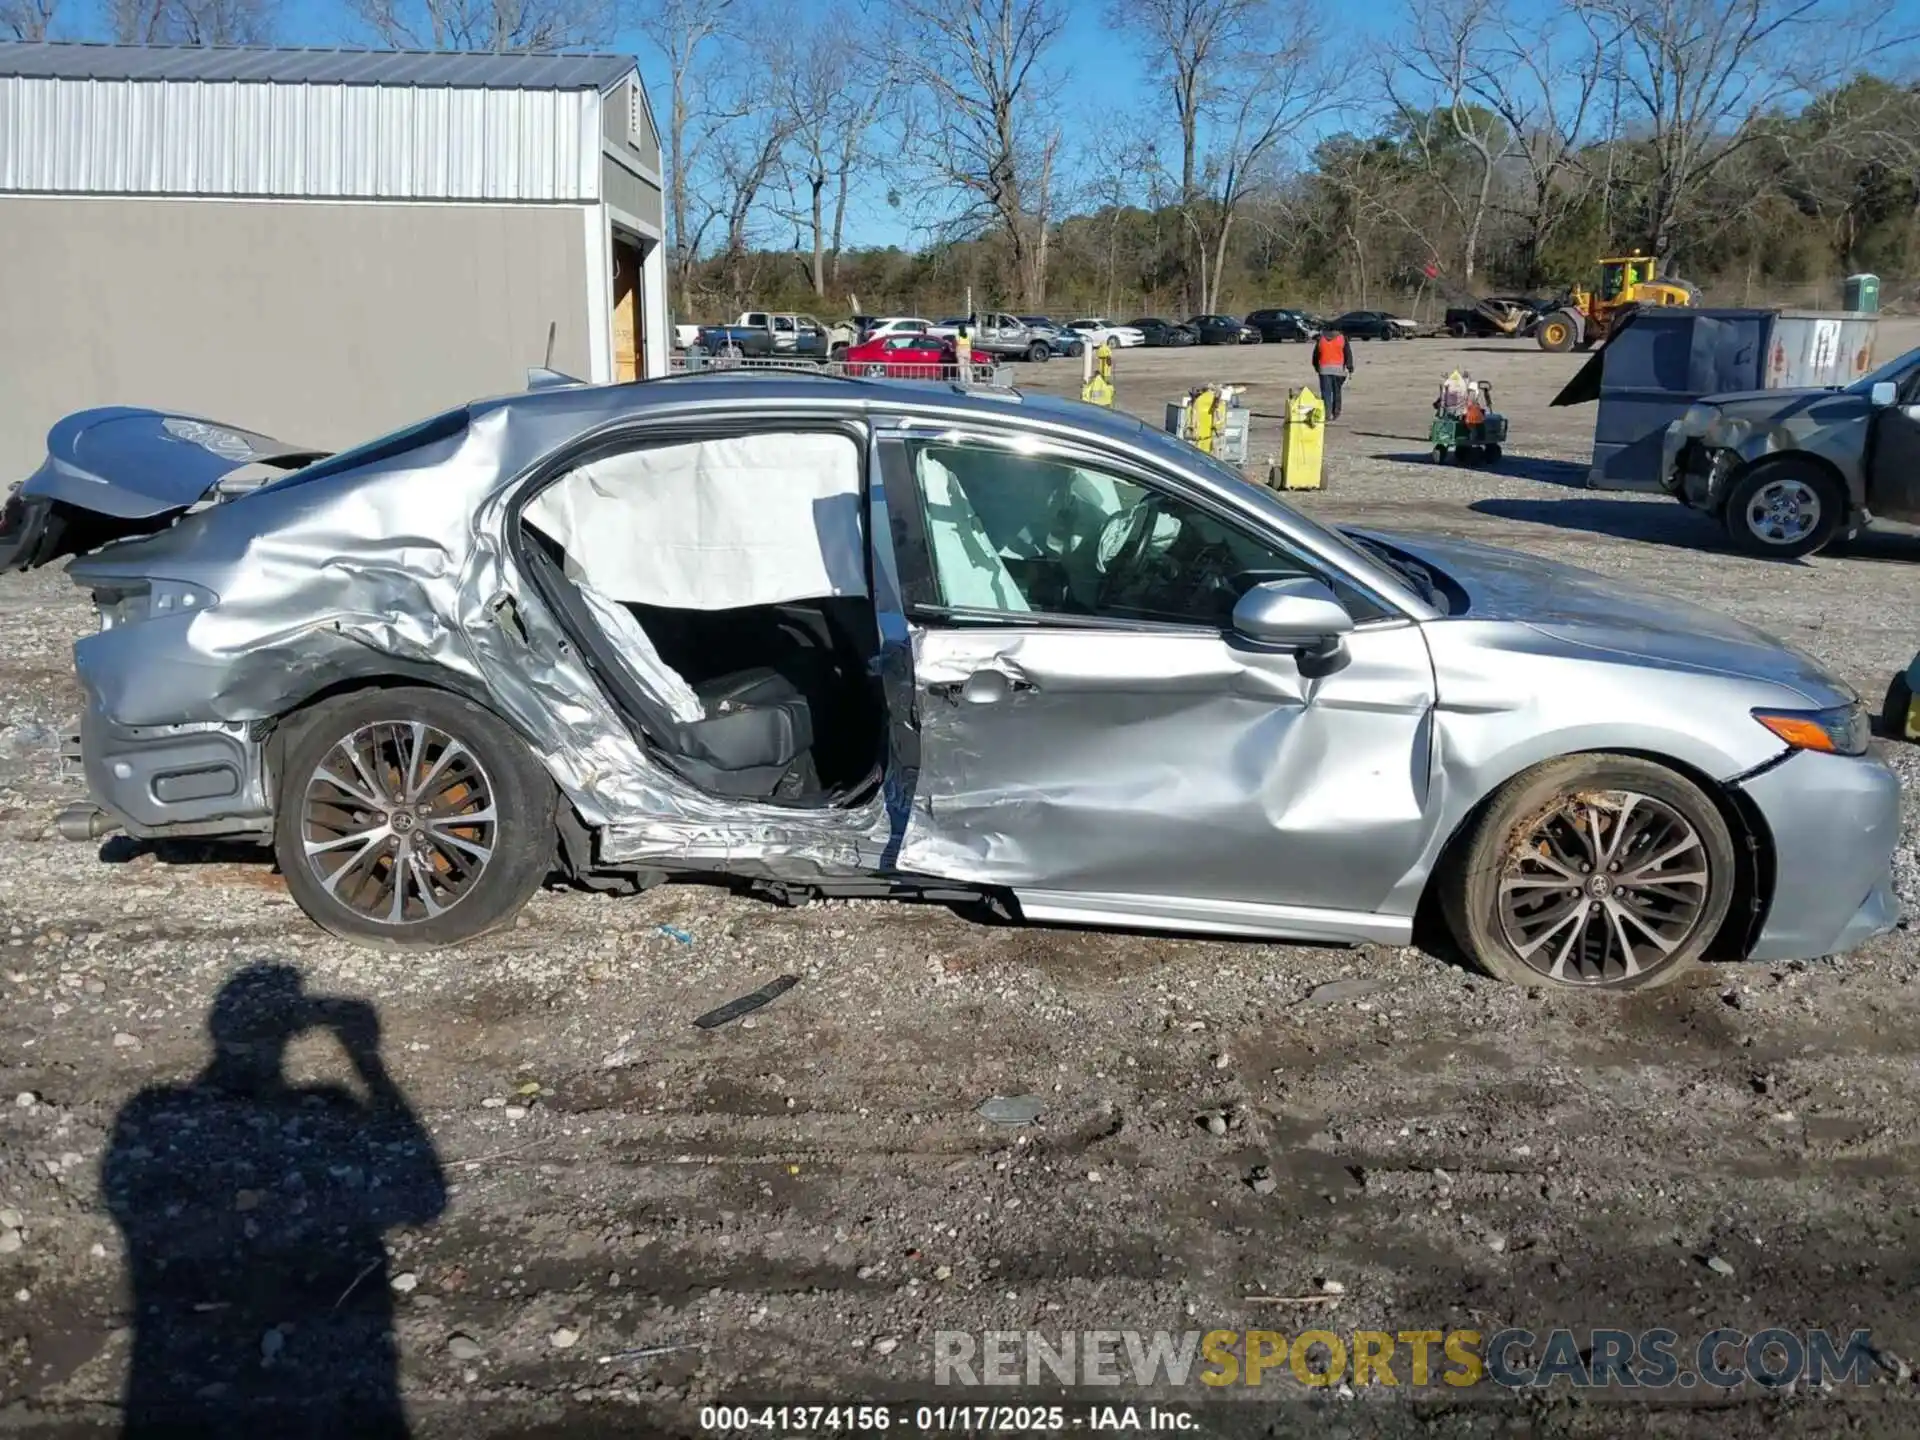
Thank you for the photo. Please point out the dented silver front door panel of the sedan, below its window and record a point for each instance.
(1170, 773)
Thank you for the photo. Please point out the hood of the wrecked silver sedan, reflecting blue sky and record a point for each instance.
(1596, 615)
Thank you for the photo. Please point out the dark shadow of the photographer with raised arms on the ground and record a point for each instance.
(254, 1218)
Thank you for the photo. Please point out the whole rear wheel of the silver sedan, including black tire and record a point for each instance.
(441, 905)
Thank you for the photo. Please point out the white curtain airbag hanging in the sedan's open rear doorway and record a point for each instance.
(713, 525)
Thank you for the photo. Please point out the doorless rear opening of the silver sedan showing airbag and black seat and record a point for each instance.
(723, 588)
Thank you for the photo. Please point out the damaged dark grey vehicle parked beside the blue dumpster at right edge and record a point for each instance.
(1788, 471)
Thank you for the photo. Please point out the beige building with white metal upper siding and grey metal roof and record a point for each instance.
(318, 243)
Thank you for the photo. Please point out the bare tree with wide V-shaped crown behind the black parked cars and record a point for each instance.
(1245, 78)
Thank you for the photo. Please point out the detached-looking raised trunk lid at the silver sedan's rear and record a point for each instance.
(124, 471)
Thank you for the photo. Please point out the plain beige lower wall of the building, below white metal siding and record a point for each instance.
(316, 324)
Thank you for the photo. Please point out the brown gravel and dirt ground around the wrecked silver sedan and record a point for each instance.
(802, 1199)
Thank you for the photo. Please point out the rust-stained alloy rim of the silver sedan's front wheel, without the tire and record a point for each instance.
(1602, 888)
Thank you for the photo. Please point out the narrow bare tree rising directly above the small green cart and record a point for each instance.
(1433, 80)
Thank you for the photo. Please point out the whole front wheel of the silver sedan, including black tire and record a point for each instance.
(1537, 830)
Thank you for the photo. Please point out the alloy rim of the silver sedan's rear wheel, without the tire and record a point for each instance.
(398, 823)
